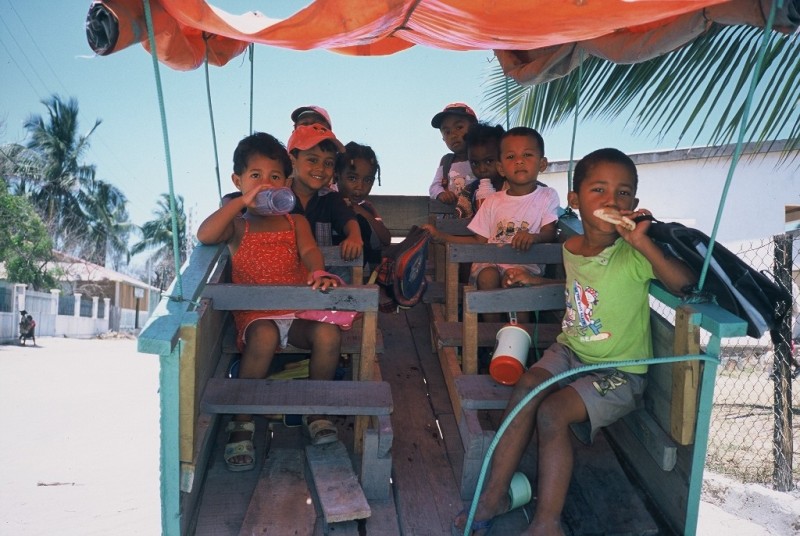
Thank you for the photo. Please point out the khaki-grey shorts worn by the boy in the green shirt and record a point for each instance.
(608, 394)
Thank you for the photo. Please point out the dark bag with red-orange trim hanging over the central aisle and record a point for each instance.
(402, 270)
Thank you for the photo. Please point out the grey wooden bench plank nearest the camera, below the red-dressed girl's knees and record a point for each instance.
(303, 397)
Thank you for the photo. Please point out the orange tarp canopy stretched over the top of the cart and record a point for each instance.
(534, 39)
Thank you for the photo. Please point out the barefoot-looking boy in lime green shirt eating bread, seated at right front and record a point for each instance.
(608, 269)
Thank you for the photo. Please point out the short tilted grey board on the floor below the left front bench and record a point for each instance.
(340, 496)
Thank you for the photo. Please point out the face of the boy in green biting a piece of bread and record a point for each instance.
(606, 184)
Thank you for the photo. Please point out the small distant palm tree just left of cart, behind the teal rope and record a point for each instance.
(157, 235)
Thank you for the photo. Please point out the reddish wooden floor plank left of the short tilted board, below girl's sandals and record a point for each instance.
(280, 503)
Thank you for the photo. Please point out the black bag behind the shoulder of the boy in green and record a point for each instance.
(736, 286)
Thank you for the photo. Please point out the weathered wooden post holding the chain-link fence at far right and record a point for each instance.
(782, 374)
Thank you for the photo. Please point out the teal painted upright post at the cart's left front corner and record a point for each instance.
(169, 396)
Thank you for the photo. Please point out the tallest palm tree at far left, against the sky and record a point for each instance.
(63, 176)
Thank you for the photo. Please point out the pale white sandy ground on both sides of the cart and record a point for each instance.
(80, 449)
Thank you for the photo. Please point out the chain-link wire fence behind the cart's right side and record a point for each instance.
(755, 429)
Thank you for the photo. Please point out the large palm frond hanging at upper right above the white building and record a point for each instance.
(698, 90)
